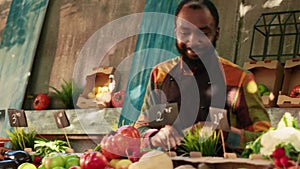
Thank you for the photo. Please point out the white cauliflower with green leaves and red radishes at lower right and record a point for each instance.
(280, 144)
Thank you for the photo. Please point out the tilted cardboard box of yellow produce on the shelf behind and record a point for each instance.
(99, 78)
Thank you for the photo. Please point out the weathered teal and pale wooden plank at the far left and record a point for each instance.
(17, 50)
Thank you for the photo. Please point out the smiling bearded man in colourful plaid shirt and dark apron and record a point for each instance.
(173, 81)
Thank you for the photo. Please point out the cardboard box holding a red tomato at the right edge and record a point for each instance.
(291, 79)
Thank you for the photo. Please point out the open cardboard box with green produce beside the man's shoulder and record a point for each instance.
(269, 73)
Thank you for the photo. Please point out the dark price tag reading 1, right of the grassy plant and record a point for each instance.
(219, 118)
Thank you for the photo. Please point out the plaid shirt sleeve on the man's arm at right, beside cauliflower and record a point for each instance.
(251, 111)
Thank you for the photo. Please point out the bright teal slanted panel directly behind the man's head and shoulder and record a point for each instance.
(156, 43)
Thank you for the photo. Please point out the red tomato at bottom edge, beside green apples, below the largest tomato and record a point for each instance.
(93, 160)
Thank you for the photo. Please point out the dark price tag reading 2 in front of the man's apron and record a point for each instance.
(163, 114)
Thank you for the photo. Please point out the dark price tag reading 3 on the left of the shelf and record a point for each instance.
(17, 118)
